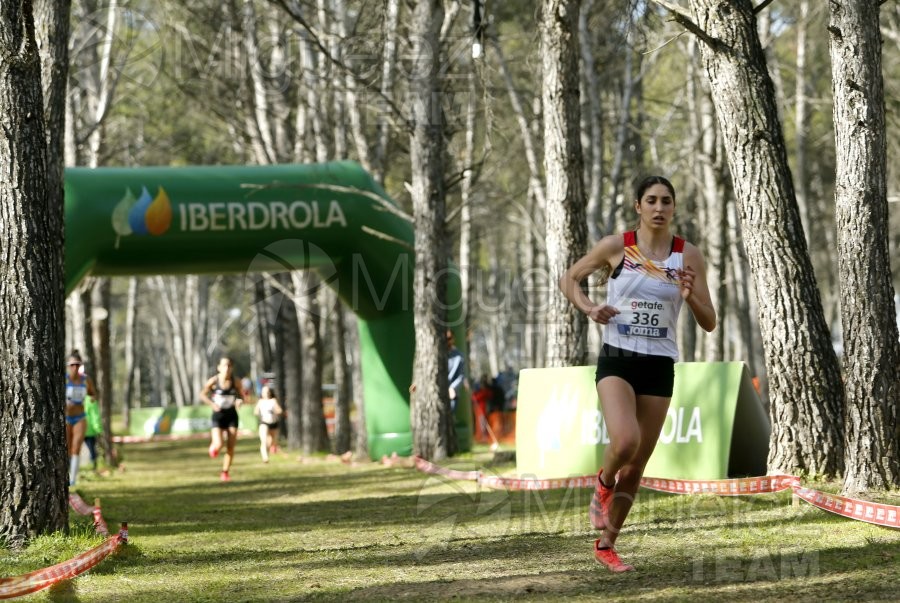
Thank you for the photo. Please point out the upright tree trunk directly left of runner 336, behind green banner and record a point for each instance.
(563, 165)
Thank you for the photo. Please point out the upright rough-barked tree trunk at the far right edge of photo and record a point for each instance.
(871, 346)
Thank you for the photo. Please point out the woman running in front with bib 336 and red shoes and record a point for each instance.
(652, 273)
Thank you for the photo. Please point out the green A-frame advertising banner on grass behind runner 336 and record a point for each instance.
(716, 425)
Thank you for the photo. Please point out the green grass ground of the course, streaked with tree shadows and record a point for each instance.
(324, 531)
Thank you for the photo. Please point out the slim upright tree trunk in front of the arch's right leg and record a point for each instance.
(431, 419)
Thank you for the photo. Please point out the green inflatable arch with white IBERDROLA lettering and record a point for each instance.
(330, 218)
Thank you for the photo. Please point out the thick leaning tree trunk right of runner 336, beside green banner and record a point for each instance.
(804, 377)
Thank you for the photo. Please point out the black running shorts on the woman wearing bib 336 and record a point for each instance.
(647, 375)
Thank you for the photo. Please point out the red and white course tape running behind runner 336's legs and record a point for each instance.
(875, 513)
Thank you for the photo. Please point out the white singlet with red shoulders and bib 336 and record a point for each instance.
(646, 294)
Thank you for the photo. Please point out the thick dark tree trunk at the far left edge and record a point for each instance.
(32, 436)
